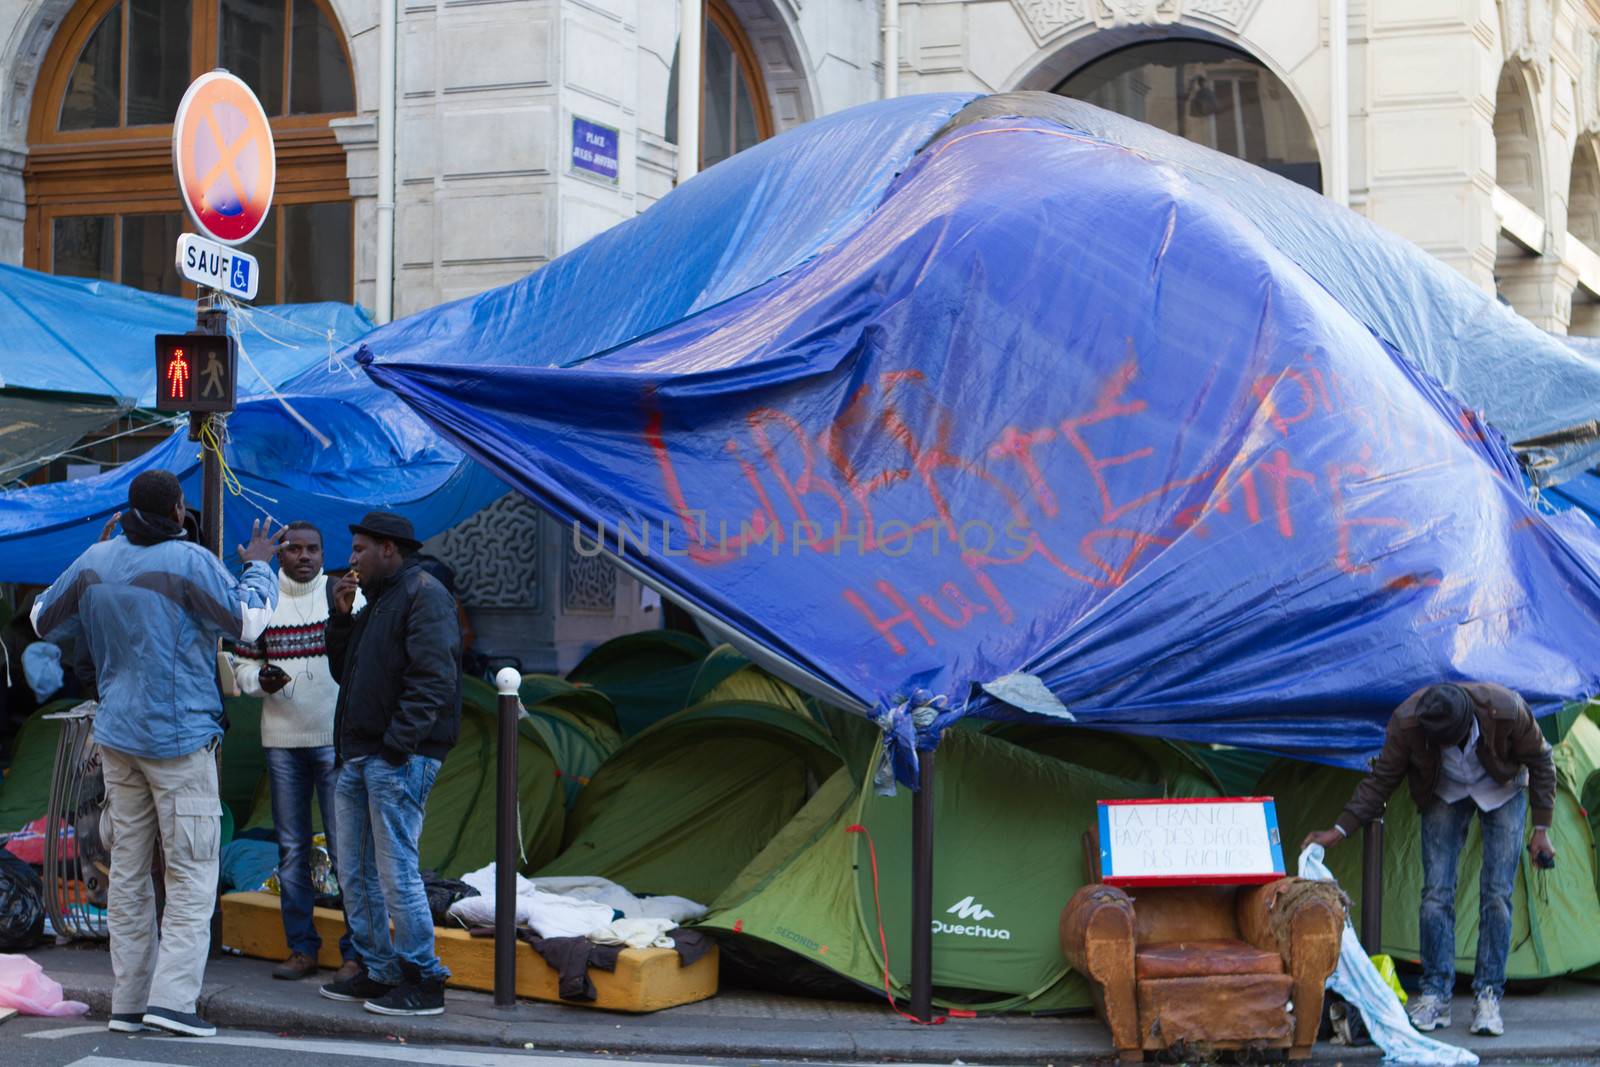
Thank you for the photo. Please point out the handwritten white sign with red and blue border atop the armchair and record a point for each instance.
(1217, 841)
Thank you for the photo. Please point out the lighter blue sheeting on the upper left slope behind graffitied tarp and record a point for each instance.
(734, 228)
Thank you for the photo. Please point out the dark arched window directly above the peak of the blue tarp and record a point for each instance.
(1214, 95)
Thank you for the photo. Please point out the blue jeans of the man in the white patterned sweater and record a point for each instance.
(295, 777)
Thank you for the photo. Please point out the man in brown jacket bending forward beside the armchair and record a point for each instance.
(1466, 749)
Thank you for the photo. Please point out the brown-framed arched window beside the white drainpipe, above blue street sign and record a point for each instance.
(735, 113)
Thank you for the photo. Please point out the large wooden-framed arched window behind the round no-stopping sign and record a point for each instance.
(102, 196)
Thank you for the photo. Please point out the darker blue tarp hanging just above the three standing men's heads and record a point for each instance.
(380, 455)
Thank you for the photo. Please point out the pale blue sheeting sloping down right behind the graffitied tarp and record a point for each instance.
(1527, 383)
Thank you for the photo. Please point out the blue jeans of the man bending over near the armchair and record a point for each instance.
(1444, 834)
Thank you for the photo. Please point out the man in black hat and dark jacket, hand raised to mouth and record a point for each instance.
(398, 716)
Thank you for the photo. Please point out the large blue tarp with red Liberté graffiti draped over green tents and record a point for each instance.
(1052, 407)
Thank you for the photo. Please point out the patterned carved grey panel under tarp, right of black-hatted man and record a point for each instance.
(495, 554)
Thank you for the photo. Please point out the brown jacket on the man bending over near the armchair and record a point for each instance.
(1510, 740)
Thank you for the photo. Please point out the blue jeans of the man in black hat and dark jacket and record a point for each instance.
(380, 823)
